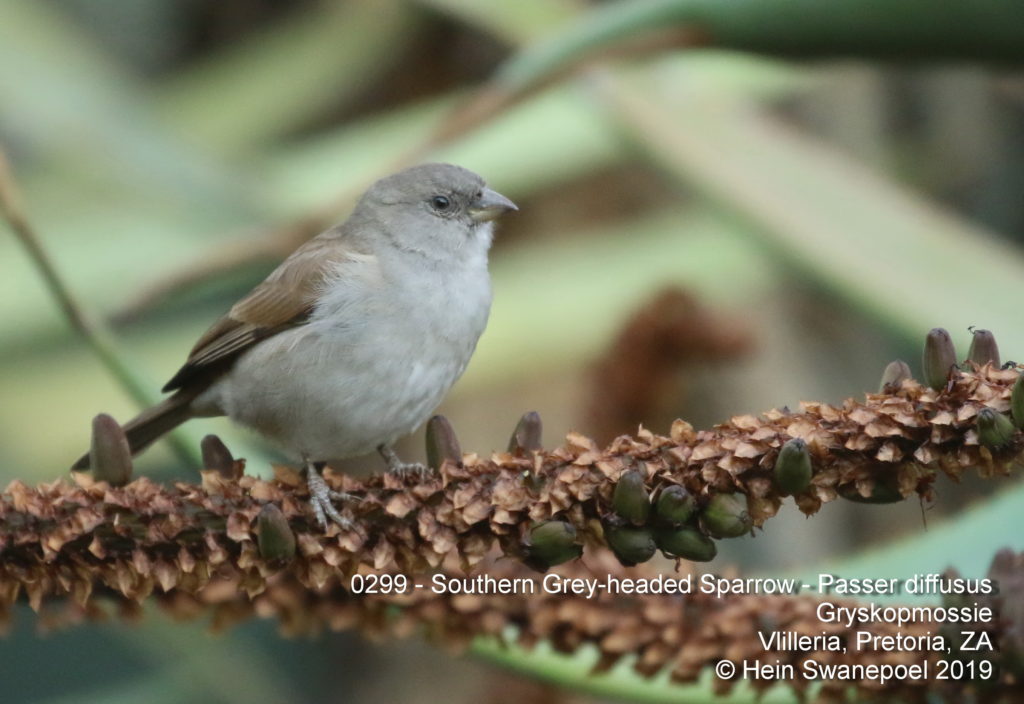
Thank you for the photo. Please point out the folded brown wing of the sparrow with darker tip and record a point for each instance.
(283, 301)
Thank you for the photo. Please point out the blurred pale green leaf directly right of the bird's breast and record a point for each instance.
(558, 304)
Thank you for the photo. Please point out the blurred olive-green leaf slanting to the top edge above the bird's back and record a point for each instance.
(285, 77)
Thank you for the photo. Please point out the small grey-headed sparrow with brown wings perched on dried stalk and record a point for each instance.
(356, 338)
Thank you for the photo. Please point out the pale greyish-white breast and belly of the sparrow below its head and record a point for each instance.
(375, 361)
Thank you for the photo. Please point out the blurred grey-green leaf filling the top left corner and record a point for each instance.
(62, 95)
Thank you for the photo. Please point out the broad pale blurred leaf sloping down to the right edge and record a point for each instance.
(885, 251)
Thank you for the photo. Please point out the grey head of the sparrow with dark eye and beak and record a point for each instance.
(436, 210)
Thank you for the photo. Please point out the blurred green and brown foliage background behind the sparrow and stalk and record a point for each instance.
(702, 234)
